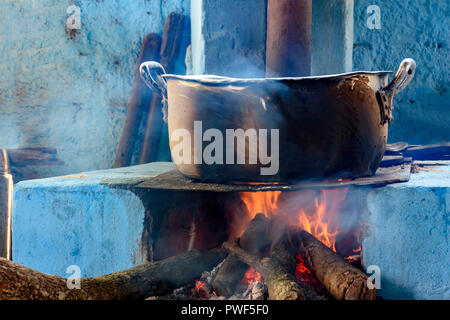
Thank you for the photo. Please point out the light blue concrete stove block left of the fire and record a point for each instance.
(82, 219)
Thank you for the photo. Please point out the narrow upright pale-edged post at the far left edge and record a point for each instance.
(6, 193)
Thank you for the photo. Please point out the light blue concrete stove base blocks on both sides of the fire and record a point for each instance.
(95, 220)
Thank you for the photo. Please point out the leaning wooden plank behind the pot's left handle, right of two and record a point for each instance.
(138, 103)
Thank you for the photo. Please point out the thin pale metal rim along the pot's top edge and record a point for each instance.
(221, 80)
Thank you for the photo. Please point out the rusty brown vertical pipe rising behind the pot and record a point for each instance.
(288, 46)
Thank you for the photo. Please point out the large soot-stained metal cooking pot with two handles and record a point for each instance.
(329, 126)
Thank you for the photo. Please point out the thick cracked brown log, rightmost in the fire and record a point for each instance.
(342, 280)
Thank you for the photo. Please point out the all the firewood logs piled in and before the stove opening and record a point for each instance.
(277, 267)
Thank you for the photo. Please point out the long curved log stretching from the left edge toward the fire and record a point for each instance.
(18, 282)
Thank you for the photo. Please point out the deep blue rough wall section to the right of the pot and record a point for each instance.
(419, 29)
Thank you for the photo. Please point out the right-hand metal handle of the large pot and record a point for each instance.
(385, 96)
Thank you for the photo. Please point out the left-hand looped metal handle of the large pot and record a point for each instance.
(151, 73)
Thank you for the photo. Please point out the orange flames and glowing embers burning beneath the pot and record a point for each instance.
(316, 212)
